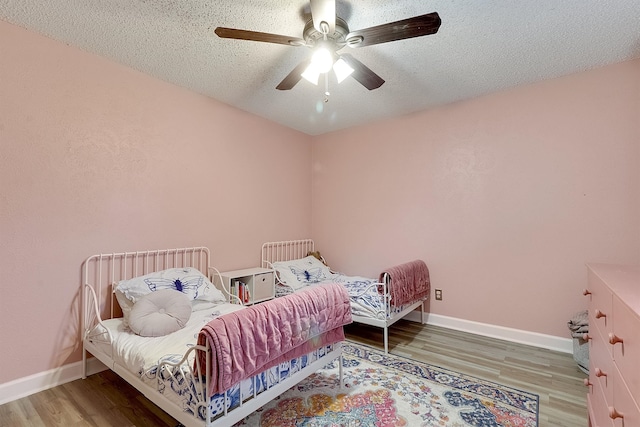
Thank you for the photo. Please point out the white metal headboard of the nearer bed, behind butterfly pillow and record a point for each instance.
(100, 272)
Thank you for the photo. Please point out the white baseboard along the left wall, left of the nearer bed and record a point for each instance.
(27, 386)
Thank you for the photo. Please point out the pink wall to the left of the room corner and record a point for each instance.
(96, 157)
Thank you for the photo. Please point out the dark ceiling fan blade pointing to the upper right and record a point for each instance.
(407, 28)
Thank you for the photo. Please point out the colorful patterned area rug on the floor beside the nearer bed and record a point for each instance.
(390, 391)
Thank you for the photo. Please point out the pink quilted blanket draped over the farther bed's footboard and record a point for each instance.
(409, 282)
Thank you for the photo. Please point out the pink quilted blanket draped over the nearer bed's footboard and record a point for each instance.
(249, 341)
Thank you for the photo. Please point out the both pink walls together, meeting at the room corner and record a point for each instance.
(506, 196)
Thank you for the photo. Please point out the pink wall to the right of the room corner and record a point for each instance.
(506, 196)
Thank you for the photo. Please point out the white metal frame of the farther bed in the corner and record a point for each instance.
(288, 250)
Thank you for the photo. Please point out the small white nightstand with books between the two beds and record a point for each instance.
(250, 285)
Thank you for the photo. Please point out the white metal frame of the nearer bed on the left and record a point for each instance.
(99, 274)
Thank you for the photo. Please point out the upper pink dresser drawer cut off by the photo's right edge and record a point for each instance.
(626, 354)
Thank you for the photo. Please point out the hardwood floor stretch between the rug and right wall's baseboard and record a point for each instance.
(554, 376)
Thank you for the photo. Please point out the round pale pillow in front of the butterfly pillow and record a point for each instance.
(160, 313)
